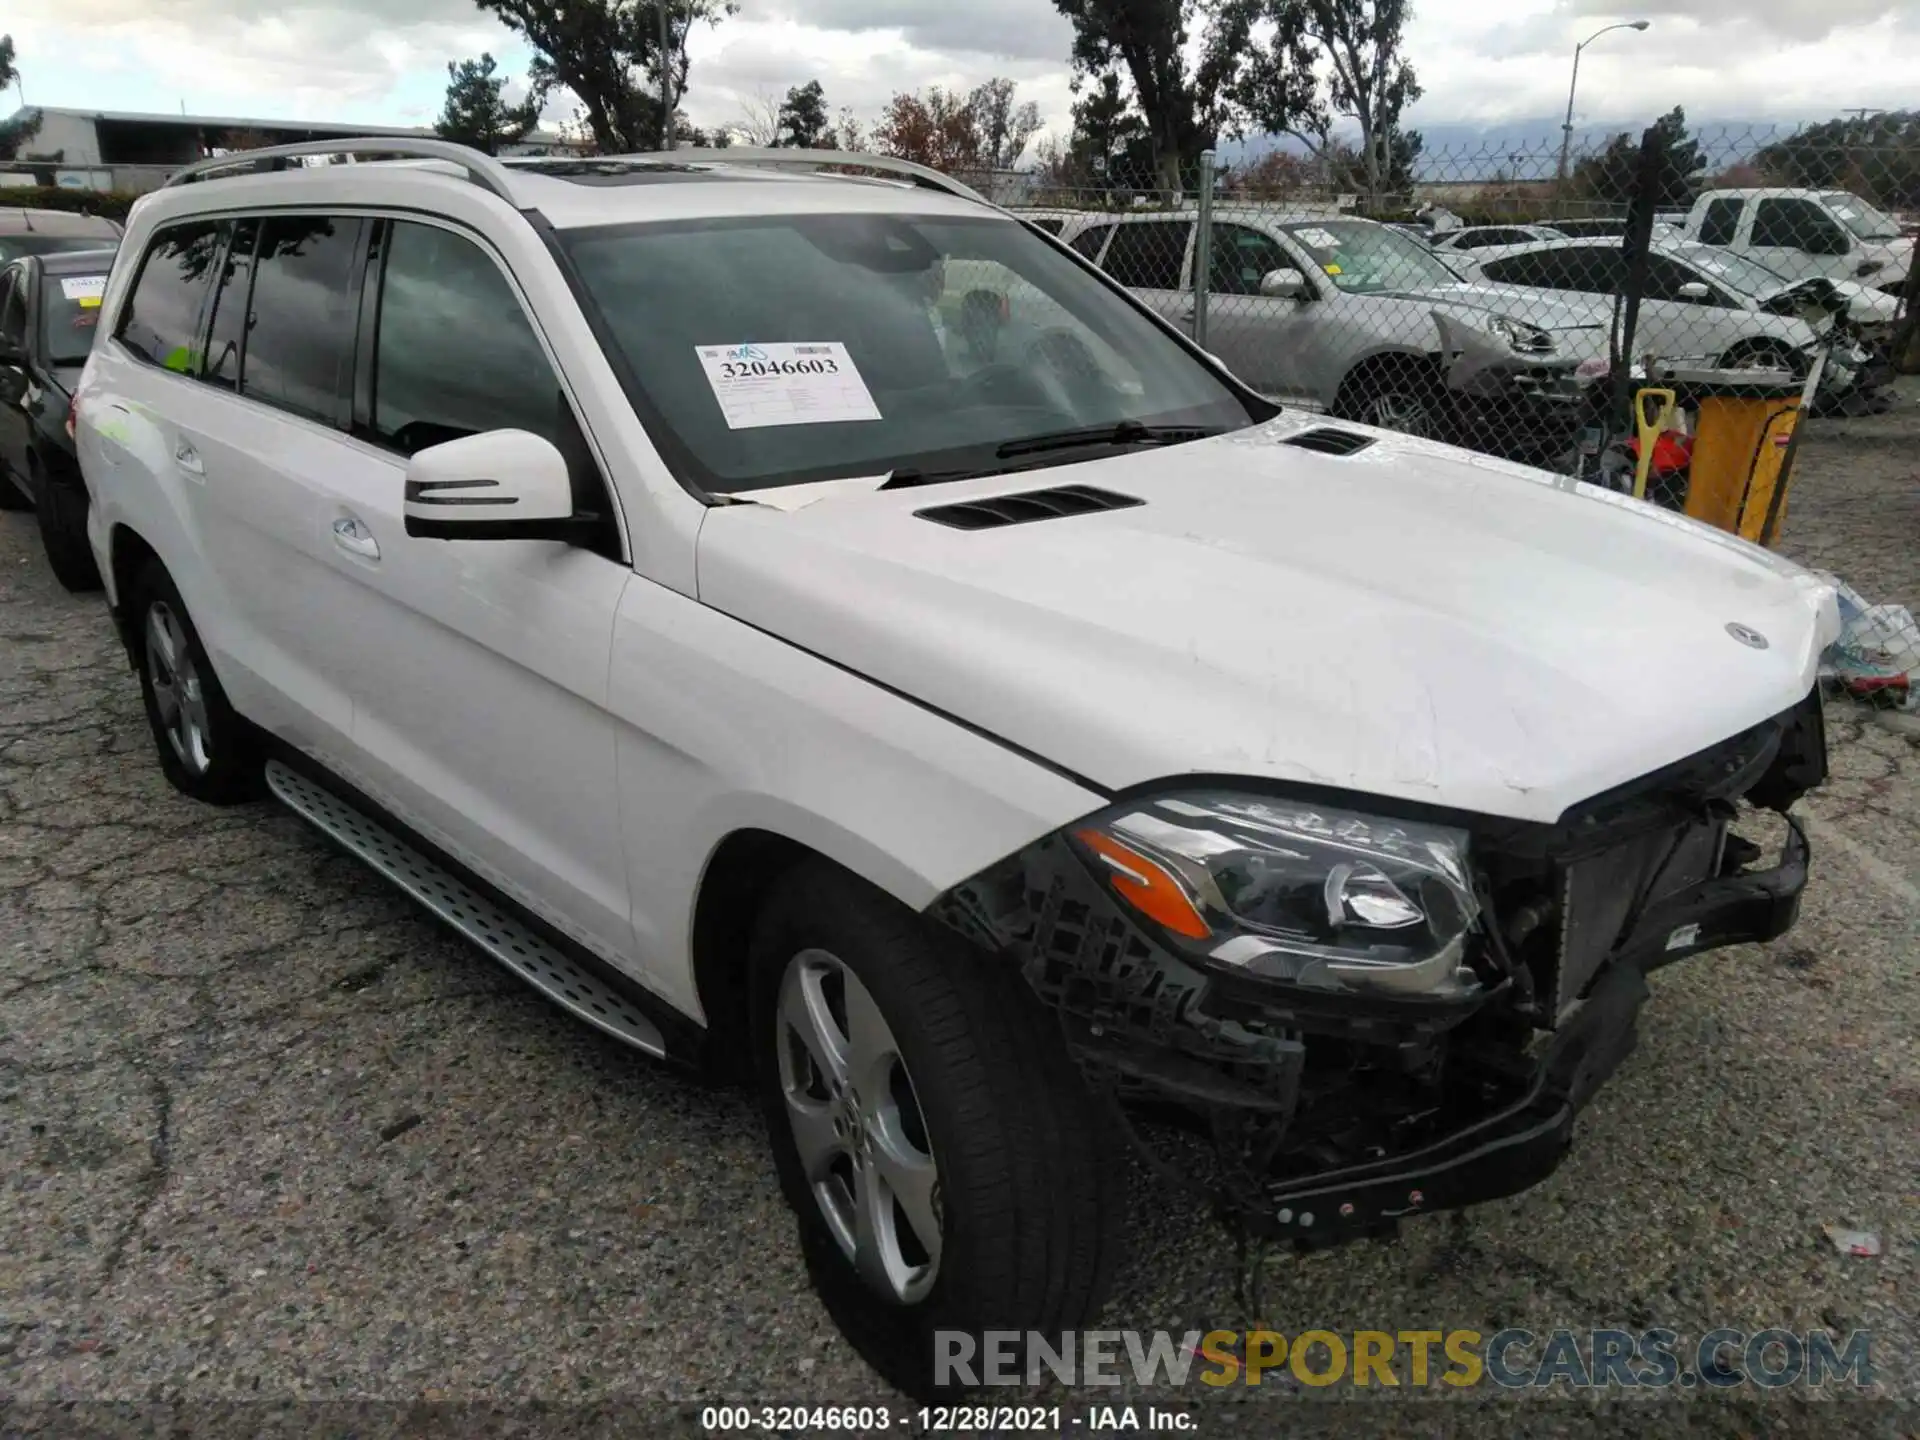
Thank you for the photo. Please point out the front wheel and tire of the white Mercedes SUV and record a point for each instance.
(944, 1159)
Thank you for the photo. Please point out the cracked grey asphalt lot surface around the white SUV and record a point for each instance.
(272, 1138)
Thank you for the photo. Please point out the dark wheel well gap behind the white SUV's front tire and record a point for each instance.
(738, 878)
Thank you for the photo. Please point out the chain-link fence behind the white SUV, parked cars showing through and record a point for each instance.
(1658, 314)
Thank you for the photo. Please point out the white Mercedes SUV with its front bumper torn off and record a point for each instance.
(823, 631)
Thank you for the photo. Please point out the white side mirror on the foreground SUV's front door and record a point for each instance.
(502, 485)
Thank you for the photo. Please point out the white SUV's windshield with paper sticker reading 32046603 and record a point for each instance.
(798, 348)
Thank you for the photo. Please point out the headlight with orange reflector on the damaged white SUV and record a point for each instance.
(1293, 892)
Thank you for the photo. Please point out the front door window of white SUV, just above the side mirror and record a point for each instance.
(454, 354)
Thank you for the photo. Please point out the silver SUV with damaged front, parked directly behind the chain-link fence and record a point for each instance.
(1358, 320)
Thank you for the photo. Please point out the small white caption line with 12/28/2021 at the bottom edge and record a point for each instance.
(948, 1420)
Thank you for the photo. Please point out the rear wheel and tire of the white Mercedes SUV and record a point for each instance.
(206, 750)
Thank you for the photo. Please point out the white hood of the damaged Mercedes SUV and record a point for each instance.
(1410, 621)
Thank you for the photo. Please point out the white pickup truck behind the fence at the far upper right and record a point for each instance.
(1802, 233)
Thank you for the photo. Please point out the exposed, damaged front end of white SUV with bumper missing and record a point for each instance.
(1370, 1017)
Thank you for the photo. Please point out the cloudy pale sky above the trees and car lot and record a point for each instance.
(385, 60)
